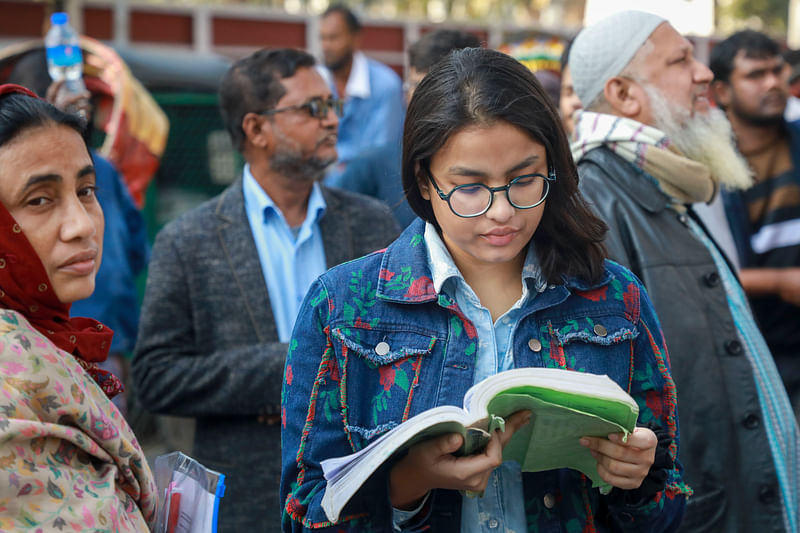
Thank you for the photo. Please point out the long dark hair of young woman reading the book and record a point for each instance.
(480, 86)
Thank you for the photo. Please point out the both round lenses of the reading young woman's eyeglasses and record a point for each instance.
(523, 192)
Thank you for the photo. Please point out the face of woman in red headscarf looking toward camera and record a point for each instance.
(47, 182)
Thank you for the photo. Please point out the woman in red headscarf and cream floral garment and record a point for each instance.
(68, 460)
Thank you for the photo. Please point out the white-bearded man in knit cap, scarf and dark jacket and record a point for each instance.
(648, 147)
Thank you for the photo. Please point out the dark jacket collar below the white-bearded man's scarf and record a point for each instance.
(641, 186)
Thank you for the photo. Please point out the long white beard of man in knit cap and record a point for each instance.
(705, 138)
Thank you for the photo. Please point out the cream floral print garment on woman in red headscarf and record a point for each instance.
(68, 460)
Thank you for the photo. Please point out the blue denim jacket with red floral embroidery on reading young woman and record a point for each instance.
(340, 393)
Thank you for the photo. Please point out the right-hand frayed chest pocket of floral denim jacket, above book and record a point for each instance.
(595, 344)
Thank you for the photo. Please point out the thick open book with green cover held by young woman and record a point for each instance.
(566, 406)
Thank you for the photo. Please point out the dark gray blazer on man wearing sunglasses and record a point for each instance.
(208, 345)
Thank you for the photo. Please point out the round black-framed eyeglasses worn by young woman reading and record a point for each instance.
(474, 199)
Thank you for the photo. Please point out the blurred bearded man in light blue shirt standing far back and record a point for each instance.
(372, 92)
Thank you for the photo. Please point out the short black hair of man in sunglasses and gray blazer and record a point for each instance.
(253, 84)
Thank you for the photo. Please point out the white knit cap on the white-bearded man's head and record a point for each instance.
(602, 50)
